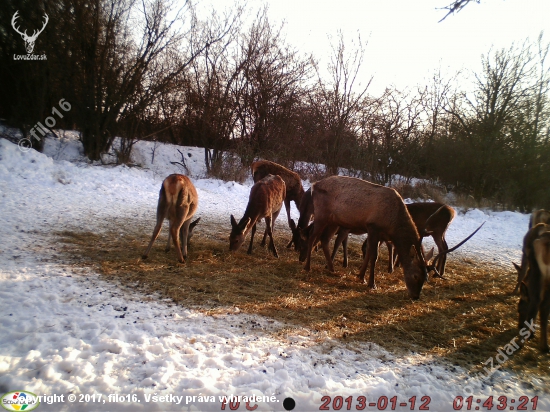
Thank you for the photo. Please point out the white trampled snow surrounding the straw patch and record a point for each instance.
(66, 332)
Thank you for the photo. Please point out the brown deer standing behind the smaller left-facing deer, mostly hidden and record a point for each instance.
(294, 188)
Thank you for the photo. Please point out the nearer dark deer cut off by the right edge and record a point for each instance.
(535, 286)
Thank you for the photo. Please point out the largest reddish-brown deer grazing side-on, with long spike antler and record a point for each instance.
(361, 206)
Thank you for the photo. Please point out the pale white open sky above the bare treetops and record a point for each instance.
(406, 41)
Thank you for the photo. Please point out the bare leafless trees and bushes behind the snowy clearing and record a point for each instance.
(153, 69)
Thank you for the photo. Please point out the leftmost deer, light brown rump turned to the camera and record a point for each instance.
(178, 201)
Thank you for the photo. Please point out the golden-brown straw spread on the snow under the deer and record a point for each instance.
(463, 319)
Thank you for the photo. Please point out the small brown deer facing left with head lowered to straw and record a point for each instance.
(265, 202)
